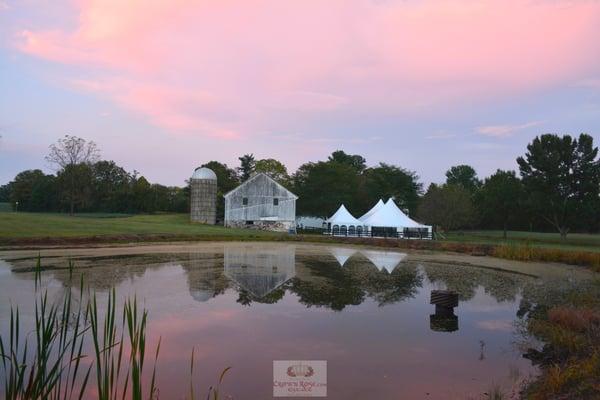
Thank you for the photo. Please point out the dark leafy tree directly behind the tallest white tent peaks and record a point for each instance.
(389, 181)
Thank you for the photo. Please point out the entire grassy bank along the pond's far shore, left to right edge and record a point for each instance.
(33, 229)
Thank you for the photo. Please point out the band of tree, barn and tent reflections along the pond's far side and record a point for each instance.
(336, 278)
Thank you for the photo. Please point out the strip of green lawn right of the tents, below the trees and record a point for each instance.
(574, 241)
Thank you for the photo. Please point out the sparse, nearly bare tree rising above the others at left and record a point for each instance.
(67, 153)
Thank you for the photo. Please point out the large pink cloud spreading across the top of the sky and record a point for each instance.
(229, 68)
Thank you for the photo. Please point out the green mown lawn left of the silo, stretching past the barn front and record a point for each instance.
(38, 225)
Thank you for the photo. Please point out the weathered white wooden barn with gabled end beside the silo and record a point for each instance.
(261, 203)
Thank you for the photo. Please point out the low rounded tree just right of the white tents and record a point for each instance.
(448, 206)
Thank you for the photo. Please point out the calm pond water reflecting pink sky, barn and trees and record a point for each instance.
(367, 312)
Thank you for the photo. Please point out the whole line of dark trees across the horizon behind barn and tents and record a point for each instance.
(556, 188)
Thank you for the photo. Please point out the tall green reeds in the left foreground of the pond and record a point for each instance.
(54, 366)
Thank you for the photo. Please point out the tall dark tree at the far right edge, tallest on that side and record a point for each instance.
(562, 178)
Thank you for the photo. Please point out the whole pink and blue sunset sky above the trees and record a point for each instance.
(165, 86)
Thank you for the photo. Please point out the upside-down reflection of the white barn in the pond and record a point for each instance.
(260, 271)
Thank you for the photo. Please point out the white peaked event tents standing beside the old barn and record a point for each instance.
(383, 220)
